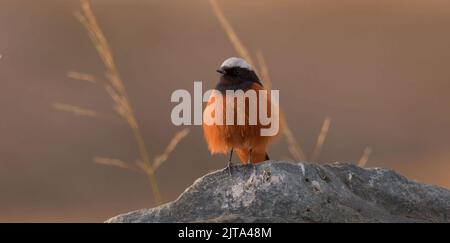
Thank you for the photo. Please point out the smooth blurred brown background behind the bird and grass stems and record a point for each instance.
(379, 69)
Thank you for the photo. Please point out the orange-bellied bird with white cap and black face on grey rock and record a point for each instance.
(246, 140)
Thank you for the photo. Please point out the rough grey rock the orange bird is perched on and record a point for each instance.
(301, 192)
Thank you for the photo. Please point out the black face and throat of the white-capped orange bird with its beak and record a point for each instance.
(235, 78)
